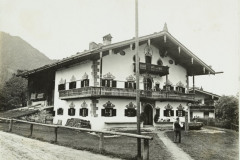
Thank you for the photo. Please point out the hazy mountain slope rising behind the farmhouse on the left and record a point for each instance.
(15, 53)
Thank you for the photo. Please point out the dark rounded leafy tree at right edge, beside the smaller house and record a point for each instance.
(227, 109)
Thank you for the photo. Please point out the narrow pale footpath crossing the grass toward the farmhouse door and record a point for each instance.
(178, 153)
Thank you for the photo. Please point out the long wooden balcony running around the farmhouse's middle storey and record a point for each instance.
(123, 93)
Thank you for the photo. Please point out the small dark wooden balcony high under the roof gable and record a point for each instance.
(152, 69)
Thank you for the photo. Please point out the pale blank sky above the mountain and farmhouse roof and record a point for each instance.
(61, 28)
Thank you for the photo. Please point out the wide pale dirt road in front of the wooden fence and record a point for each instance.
(14, 147)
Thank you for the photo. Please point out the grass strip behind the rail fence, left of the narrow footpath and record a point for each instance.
(121, 147)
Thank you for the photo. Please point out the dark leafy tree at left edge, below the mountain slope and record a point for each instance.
(14, 93)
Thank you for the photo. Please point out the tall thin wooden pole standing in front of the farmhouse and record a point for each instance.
(137, 80)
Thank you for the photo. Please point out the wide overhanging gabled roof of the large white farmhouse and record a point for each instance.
(163, 40)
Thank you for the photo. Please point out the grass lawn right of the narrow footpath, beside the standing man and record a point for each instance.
(210, 144)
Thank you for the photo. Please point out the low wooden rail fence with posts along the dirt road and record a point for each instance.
(145, 154)
